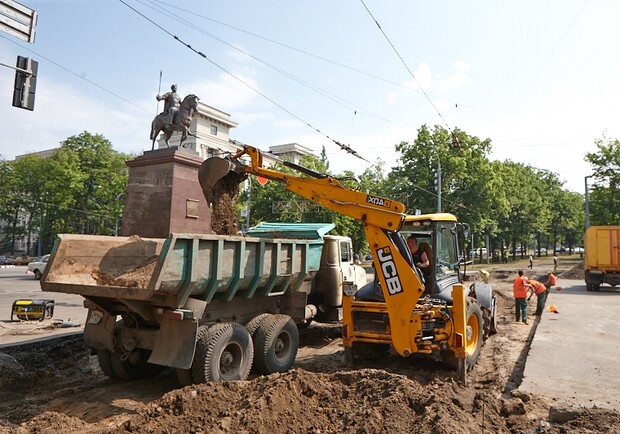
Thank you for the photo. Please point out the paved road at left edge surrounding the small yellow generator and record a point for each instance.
(15, 284)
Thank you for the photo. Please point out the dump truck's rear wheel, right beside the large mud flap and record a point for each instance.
(224, 353)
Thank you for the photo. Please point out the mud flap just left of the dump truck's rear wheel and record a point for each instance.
(175, 343)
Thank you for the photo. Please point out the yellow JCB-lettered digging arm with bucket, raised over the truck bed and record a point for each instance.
(380, 217)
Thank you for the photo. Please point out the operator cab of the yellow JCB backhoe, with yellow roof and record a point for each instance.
(440, 233)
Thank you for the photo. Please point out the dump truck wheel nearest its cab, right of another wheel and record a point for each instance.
(275, 344)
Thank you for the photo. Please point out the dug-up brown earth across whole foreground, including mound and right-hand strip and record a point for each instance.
(60, 389)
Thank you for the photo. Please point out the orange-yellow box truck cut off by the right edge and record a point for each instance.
(602, 256)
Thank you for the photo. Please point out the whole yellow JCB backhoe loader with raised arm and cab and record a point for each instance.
(398, 309)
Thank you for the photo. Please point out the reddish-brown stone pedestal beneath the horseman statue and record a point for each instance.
(163, 195)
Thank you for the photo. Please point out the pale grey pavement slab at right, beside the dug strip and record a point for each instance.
(574, 355)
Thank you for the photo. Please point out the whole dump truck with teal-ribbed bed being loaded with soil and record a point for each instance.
(210, 306)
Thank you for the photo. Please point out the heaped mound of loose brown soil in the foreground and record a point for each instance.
(363, 401)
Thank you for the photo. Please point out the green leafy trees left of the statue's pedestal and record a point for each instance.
(75, 190)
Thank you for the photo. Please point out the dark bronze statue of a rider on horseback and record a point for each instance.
(177, 116)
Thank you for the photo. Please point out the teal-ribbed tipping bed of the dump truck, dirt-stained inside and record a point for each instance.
(166, 272)
